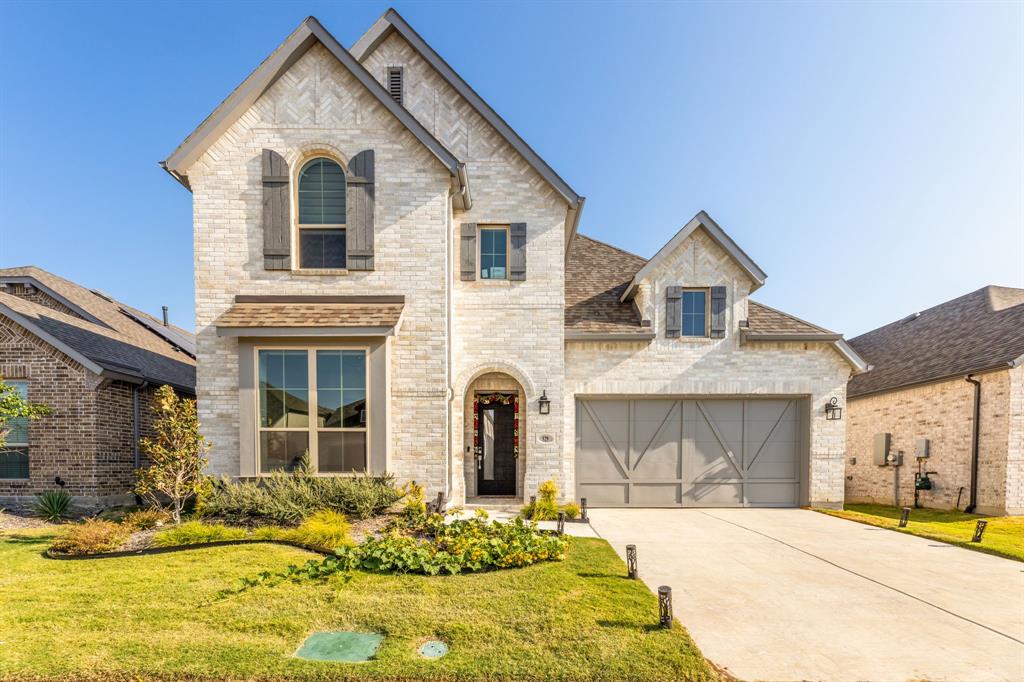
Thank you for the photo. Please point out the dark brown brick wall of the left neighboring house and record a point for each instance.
(88, 440)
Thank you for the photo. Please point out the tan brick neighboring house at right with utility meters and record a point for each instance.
(954, 376)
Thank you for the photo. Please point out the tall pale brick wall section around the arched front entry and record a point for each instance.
(513, 327)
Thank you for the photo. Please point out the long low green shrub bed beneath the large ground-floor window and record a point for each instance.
(289, 498)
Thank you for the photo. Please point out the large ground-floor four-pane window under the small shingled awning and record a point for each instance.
(334, 381)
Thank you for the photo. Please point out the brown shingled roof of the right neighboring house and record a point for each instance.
(978, 332)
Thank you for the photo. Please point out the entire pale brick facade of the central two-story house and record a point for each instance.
(456, 336)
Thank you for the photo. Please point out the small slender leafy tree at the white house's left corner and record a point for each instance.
(177, 455)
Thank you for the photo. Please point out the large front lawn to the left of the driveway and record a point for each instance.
(159, 617)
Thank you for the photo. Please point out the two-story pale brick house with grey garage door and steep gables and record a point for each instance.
(390, 278)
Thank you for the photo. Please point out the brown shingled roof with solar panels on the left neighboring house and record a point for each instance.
(102, 334)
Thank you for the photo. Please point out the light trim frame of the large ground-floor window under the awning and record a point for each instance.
(313, 430)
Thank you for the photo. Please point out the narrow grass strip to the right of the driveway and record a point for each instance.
(1004, 536)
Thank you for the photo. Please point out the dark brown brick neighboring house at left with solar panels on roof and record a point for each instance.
(97, 364)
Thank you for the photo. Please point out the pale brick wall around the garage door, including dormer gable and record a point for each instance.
(682, 367)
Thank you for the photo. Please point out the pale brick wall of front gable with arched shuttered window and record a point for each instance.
(318, 105)
